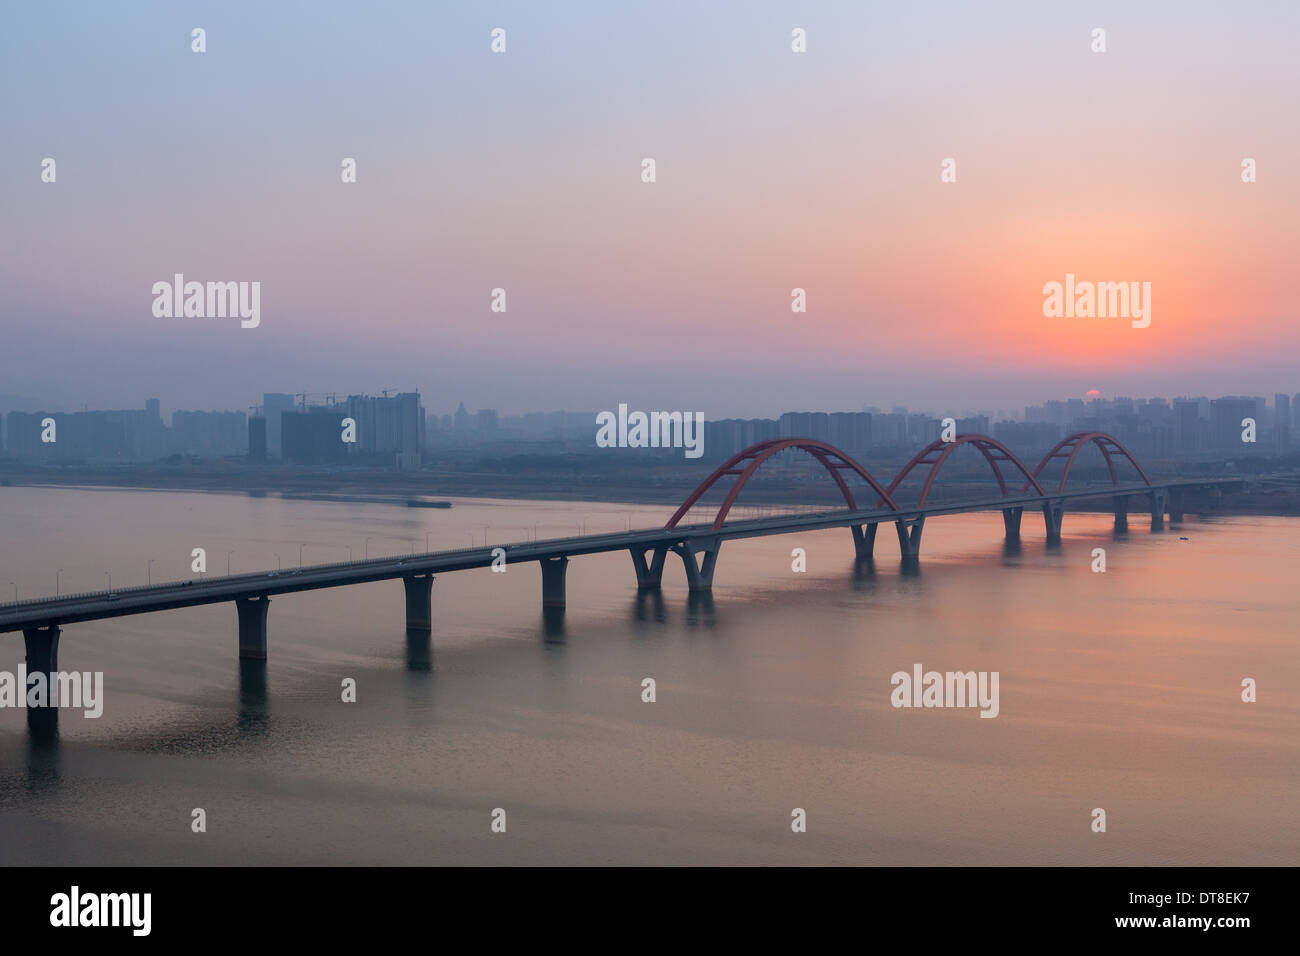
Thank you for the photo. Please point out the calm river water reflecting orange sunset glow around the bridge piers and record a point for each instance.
(1119, 690)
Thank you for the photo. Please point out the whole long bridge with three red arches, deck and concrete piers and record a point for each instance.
(696, 544)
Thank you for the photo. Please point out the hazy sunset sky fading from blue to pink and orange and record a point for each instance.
(523, 171)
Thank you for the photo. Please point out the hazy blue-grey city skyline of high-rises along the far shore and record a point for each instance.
(397, 431)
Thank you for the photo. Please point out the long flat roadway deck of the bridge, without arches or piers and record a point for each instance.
(201, 591)
